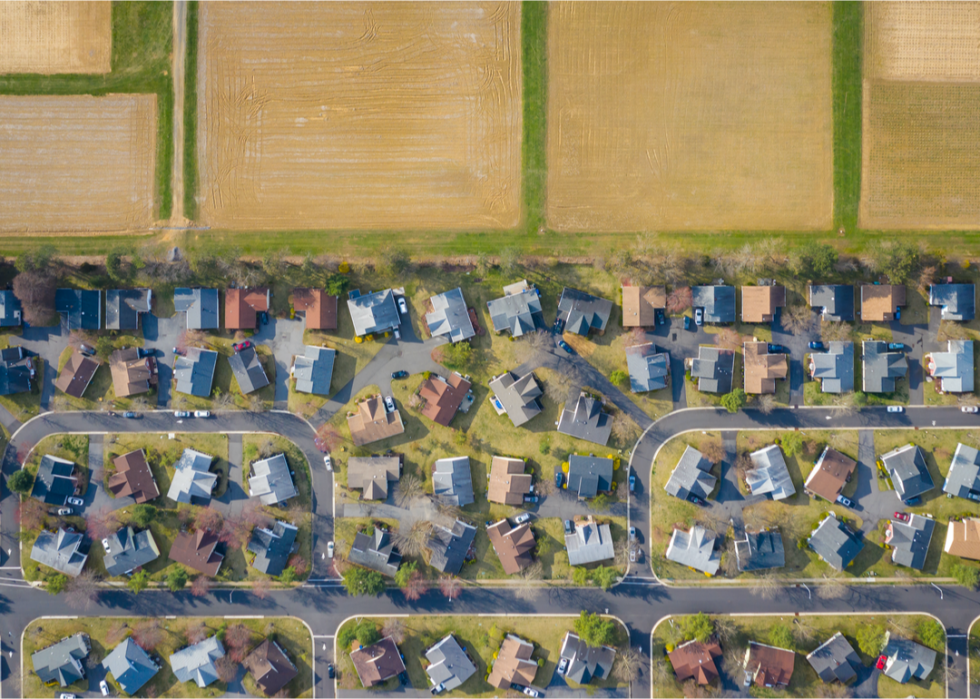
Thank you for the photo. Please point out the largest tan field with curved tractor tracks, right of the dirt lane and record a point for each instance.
(352, 115)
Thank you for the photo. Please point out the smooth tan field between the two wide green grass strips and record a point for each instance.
(689, 115)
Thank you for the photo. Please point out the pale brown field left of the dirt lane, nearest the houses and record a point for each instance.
(77, 163)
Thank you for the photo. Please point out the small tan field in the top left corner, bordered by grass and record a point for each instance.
(55, 37)
